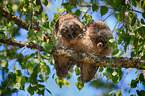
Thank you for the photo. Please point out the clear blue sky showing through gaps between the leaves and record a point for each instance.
(73, 91)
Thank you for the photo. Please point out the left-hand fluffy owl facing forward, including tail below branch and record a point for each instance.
(68, 29)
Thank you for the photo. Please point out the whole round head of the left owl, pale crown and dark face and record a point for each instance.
(69, 26)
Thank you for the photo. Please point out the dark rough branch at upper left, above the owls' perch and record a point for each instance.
(21, 23)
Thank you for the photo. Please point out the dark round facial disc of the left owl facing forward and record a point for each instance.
(71, 29)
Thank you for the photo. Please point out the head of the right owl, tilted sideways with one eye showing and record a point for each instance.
(99, 32)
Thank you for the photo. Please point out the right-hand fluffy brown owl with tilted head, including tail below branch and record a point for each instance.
(95, 41)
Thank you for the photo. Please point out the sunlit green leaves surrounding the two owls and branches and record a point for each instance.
(130, 32)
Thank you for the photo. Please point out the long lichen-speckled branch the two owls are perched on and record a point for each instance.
(82, 57)
